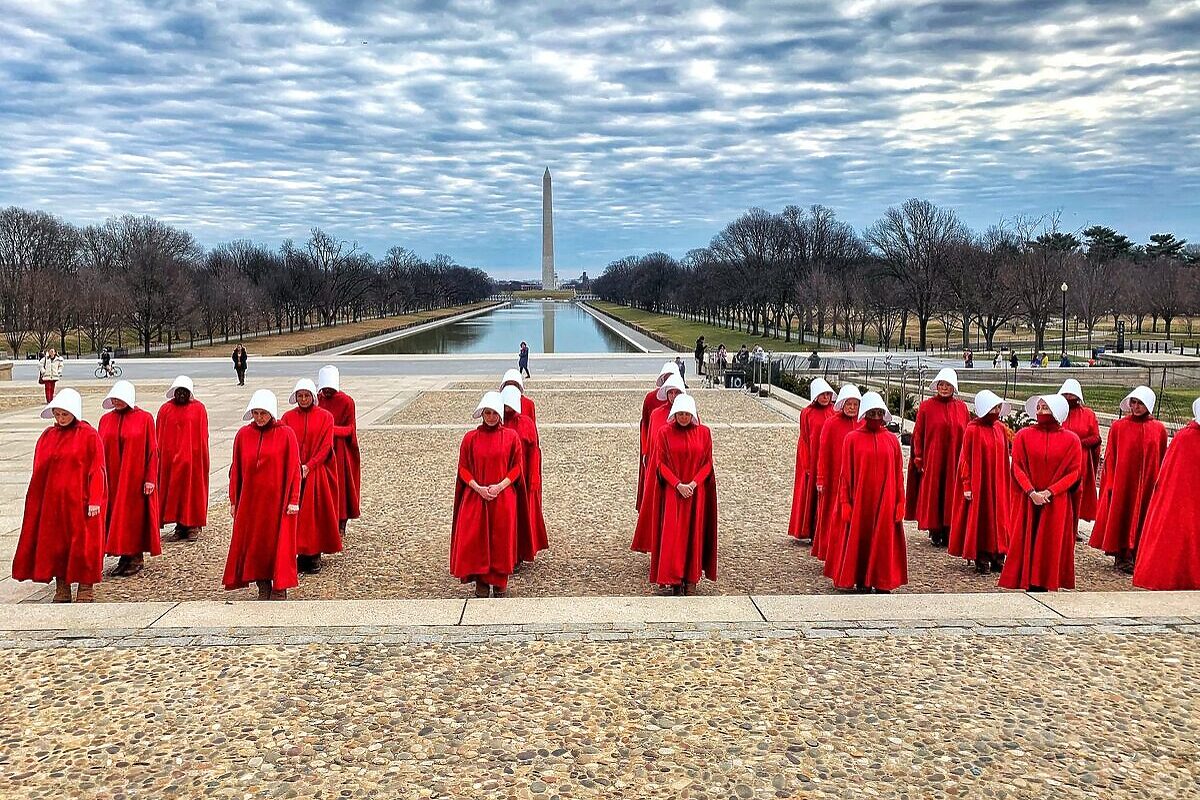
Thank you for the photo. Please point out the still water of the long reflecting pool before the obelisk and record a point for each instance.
(545, 327)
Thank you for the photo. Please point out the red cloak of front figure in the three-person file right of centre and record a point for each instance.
(872, 498)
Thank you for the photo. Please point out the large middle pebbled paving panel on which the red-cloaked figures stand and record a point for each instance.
(400, 549)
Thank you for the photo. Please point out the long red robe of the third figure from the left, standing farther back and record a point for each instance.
(183, 490)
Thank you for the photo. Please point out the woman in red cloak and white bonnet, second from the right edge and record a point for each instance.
(1136, 450)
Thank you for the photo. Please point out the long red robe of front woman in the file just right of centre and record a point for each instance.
(683, 538)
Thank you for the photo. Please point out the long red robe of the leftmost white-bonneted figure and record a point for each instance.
(58, 539)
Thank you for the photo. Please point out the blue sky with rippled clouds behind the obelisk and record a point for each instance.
(429, 124)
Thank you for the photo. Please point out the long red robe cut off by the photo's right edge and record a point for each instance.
(1169, 551)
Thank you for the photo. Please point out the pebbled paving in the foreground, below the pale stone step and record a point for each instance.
(1081, 717)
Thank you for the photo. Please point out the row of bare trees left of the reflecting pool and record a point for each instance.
(153, 280)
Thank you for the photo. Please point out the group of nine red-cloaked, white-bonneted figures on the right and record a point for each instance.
(1009, 503)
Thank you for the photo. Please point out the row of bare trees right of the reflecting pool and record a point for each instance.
(805, 272)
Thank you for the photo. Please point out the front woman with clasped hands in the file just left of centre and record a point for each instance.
(484, 530)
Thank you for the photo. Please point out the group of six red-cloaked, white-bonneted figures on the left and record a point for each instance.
(293, 485)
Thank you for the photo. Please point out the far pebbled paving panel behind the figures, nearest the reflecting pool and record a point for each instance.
(573, 406)
